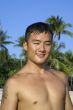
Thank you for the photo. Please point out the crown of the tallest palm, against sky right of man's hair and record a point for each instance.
(58, 26)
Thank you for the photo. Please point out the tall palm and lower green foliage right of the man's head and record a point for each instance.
(59, 60)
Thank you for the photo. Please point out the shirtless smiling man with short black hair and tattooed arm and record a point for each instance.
(36, 87)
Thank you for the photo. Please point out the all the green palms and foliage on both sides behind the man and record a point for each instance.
(63, 61)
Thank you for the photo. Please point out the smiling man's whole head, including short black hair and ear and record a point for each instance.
(38, 41)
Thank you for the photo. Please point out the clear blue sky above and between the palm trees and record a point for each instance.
(16, 15)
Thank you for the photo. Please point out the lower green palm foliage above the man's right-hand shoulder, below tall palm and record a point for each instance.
(61, 61)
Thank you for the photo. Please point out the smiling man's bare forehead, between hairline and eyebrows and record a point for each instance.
(40, 36)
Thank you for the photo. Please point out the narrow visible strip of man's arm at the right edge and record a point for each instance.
(68, 103)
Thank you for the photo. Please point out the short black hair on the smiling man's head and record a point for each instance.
(38, 27)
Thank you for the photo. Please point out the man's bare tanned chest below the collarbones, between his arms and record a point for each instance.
(37, 89)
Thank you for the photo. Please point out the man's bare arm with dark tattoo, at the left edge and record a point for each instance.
(9, 97)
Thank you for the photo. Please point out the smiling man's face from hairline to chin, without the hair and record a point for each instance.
(39, 47)
